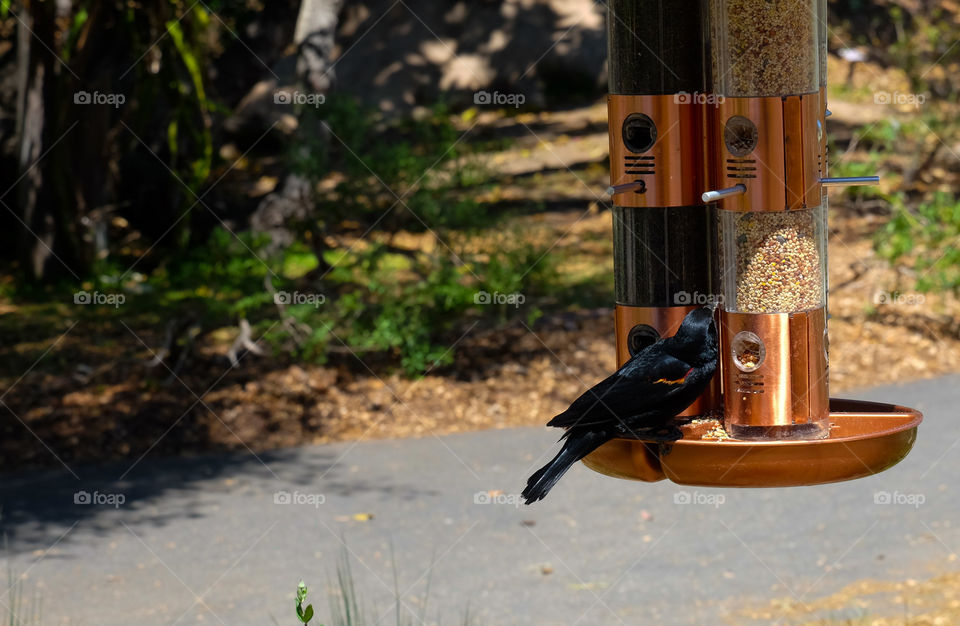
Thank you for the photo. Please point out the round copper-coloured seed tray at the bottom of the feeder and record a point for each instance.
(865, 438)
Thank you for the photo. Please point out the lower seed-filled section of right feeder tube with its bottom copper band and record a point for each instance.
(773, 281)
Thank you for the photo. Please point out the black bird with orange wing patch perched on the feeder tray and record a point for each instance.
(638, 400)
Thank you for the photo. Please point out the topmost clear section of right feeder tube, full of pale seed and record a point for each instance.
(765, 47)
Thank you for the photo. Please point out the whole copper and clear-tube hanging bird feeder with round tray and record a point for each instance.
(718, 176)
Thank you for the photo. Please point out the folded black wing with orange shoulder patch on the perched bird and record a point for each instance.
(640, 386)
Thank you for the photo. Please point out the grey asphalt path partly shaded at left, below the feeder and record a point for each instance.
(224, 539)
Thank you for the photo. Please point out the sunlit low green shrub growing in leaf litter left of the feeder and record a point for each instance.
(410, 308)
